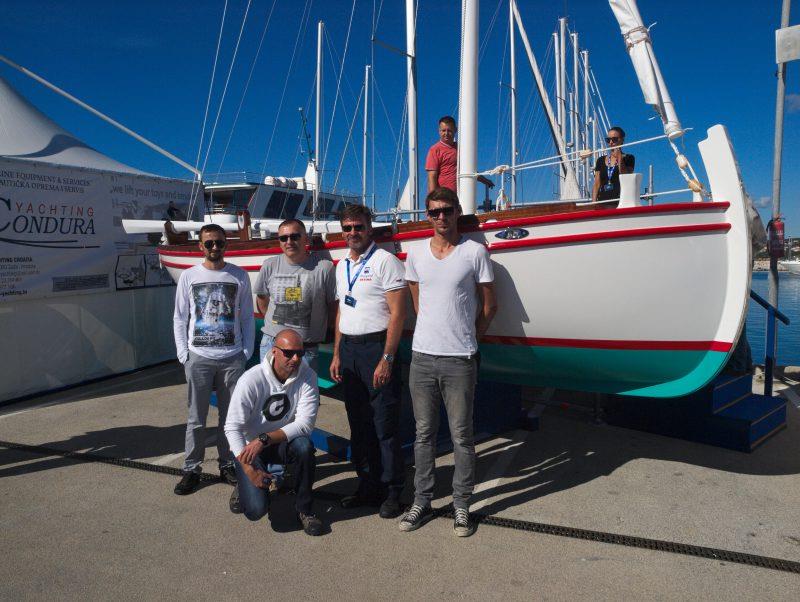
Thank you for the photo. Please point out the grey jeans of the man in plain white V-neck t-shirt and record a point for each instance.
(434, 379)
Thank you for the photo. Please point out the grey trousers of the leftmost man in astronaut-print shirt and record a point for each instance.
(203, 375)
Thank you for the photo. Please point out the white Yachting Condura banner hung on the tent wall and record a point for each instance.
(61, 229)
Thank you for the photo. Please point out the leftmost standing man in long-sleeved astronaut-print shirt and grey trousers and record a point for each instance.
(214, 333)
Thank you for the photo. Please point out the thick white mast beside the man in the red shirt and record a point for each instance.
(468, 111)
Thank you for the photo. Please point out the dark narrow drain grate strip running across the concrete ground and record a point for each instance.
(656, 545)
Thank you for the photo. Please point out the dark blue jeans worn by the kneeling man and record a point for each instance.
(300, 451)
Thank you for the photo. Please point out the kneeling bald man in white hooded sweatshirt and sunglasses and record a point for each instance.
(270, 419)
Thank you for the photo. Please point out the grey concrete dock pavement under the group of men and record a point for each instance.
(76, 528)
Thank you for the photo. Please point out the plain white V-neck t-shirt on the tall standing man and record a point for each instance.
(448, 297)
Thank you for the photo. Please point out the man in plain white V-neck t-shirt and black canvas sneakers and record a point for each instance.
(452, 285)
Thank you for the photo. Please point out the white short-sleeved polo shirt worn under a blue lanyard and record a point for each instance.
(382, 273)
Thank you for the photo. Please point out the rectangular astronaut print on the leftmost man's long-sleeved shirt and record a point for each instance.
(215, 314)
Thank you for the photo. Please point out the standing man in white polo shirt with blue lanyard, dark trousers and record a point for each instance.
(371, 287)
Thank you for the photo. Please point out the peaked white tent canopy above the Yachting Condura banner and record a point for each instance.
(28, 134)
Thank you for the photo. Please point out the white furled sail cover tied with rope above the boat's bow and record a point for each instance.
(640, 49)
